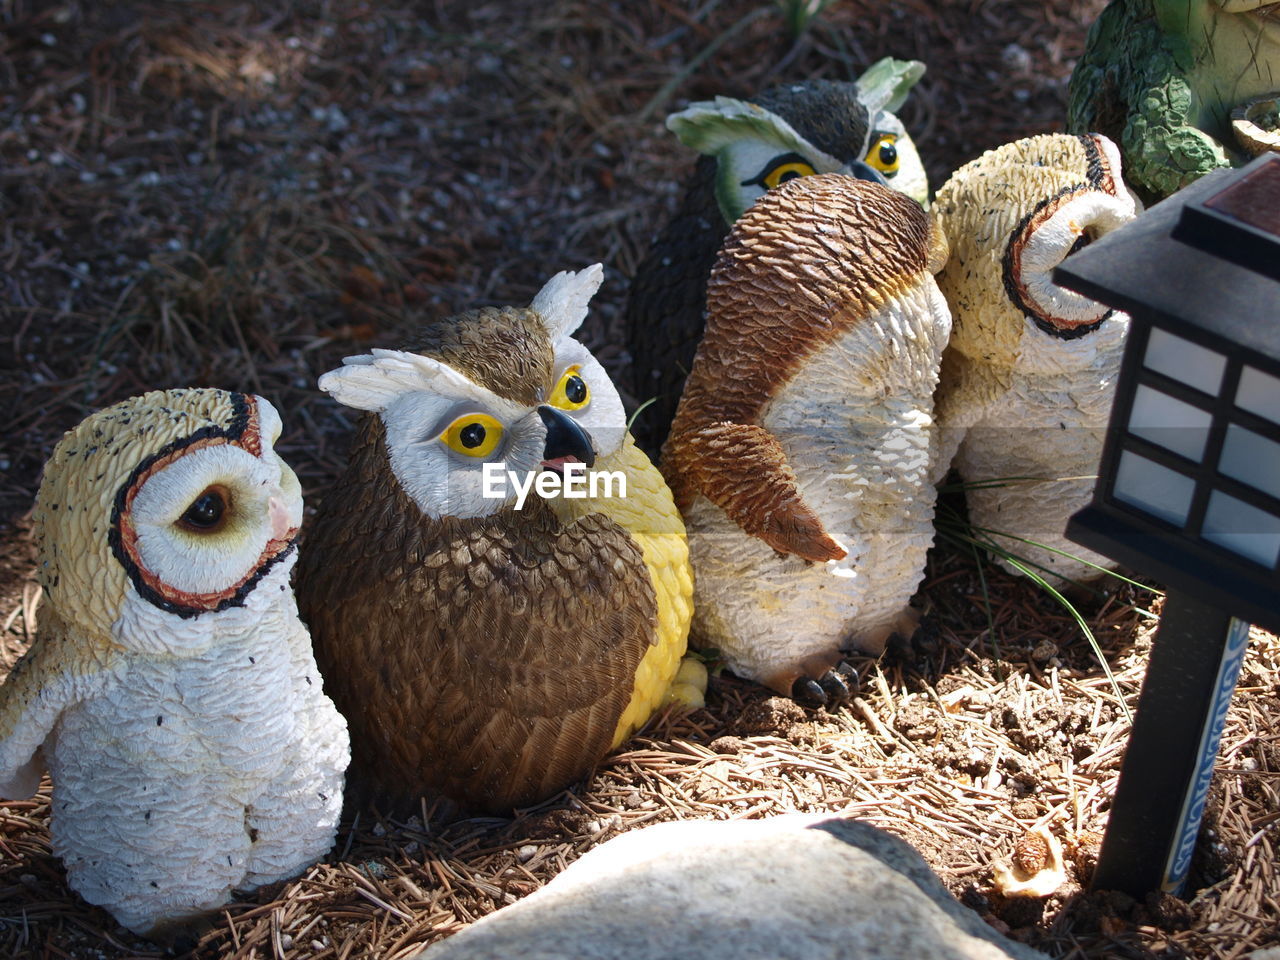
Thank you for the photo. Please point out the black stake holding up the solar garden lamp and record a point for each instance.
(1195, 662)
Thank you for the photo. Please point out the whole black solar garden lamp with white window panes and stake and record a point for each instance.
(1188, 488)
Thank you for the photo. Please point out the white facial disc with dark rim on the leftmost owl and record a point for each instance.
(199, 524)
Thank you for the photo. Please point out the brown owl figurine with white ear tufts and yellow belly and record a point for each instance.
(488, 638)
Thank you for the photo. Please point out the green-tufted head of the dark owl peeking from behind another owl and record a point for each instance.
(804, 129)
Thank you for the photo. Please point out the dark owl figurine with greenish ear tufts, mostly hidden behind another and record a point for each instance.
(748, 149)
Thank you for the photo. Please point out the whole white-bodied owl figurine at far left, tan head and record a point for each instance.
(171, 688)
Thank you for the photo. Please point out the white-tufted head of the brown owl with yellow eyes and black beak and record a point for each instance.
(502, 387)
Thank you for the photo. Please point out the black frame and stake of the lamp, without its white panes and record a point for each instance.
(1196, 271)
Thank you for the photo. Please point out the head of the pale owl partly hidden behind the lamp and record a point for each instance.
(1012, 217)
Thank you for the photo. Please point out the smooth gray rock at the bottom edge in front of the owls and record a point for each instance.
(797, 888)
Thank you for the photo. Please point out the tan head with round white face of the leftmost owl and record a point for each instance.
(176, 496)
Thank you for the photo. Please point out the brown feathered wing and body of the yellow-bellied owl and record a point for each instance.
(486, 660)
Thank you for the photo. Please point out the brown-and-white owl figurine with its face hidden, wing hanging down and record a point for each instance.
(803, 447)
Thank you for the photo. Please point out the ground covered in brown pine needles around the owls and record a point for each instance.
(237, 195)
